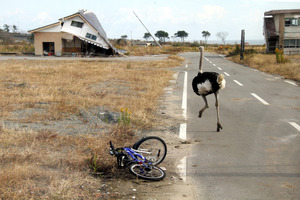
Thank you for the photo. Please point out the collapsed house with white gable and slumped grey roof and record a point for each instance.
(78, 34)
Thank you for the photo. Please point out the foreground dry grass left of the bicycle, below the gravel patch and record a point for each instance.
(44, 165)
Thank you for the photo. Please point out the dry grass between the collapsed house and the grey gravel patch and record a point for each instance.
(70, 85)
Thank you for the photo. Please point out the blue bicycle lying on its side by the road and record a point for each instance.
(142, 158)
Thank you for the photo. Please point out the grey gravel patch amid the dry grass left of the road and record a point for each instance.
(89, 121)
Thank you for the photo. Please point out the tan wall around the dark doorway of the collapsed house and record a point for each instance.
(40, 37)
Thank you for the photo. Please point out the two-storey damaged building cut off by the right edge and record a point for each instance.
(282, 31)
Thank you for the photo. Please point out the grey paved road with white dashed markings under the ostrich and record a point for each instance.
(257, 154)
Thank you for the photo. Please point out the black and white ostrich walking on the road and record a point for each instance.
(206, 83)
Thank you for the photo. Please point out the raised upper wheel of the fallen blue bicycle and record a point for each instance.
(152, 148)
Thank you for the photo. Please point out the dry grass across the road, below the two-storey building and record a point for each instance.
(267, 63)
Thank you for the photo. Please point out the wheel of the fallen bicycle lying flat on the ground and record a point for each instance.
(154, 174)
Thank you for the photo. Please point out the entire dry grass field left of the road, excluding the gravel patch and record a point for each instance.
(45, 165)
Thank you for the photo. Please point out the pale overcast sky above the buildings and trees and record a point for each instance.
(117, 18)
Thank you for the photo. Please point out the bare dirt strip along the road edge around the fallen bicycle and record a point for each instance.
(174, 186)
